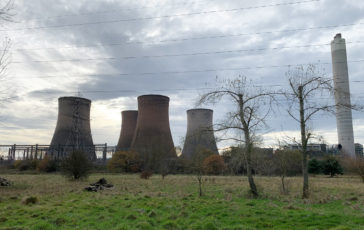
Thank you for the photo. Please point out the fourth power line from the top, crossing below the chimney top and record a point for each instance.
(192, 71)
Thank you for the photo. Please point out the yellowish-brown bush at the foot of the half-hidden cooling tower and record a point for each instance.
(124, 161)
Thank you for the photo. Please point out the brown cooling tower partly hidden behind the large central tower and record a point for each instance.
(128, 124)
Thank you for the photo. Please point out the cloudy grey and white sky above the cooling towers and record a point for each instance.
(113, 51)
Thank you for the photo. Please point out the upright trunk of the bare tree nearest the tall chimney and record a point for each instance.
(305, 192)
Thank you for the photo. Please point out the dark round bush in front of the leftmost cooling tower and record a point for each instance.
(76, 165)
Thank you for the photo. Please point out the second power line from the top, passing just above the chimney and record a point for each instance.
(188, 39)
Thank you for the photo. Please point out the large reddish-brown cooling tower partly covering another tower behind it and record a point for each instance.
(152, 138)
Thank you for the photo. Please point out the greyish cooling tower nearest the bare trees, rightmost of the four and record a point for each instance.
(199, 132)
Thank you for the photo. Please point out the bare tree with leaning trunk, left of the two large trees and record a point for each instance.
(251, 106)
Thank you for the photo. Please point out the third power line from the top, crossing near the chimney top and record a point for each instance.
(180, 54)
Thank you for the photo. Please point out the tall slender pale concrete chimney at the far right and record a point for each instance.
(342, 95)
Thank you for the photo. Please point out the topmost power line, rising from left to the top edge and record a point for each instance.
(162, 17)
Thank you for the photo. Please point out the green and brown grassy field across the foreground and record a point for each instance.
(173, 203)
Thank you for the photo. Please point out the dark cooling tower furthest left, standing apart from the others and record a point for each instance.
(73, 131)
